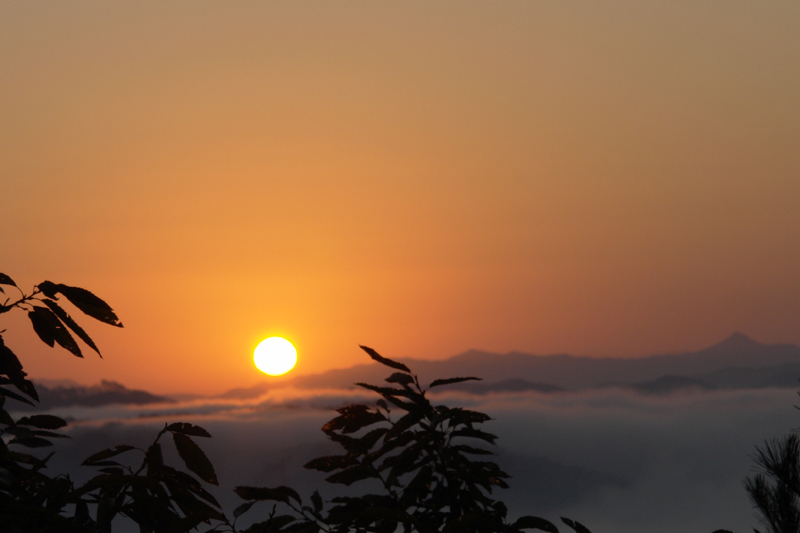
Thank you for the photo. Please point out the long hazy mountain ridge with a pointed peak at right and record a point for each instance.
(736, 362)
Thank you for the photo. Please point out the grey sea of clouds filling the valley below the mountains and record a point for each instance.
(617, 461)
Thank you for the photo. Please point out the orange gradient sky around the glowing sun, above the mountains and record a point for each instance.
(424, 178)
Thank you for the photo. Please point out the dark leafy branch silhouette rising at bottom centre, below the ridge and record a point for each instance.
(422, 456)
